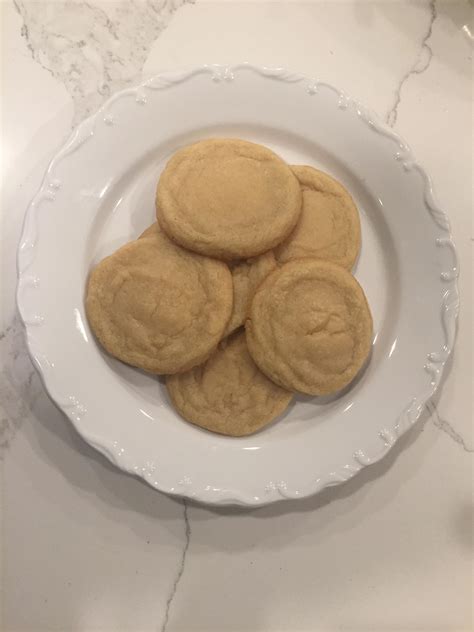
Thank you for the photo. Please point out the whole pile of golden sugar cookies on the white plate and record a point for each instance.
(241, 292)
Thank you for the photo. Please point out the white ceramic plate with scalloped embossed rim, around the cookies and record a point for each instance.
(98, 193)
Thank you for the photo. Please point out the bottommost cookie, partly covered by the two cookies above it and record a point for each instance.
(228, 394)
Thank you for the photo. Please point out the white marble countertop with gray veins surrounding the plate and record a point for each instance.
(88, 548)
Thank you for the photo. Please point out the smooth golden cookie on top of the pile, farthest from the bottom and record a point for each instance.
(227, 198)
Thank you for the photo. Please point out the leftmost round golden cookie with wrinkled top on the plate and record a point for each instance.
(156, 306)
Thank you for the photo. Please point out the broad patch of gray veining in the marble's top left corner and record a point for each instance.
(93, 48)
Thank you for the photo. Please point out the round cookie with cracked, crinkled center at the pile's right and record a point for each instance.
(309, 327)
